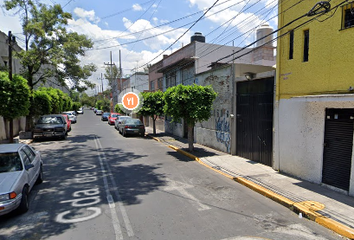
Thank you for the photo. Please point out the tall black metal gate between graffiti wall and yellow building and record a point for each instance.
(254, 125)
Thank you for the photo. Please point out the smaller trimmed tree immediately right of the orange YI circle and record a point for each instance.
(152, 106)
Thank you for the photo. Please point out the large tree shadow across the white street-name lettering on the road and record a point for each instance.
(71, 169)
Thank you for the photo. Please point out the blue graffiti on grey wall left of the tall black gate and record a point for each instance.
(222, 127)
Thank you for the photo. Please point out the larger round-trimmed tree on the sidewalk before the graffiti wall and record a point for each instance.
(192, 103)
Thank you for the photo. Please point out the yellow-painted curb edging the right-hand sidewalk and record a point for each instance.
(297, 207)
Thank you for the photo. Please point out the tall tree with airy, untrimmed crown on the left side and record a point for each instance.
(50, 50)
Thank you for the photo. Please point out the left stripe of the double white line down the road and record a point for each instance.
(115, 220)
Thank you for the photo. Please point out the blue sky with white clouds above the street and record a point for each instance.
(144, 29)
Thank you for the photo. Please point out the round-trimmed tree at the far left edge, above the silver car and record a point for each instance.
(14, 98)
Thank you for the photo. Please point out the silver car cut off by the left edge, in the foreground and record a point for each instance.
(20, 168)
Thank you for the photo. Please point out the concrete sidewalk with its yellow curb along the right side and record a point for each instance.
(327, 207)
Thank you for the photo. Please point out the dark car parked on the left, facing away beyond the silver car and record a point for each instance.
(49, 126)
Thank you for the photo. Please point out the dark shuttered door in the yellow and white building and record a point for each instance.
(338, 145)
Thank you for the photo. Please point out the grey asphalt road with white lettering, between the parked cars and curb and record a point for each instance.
(100, 185)
